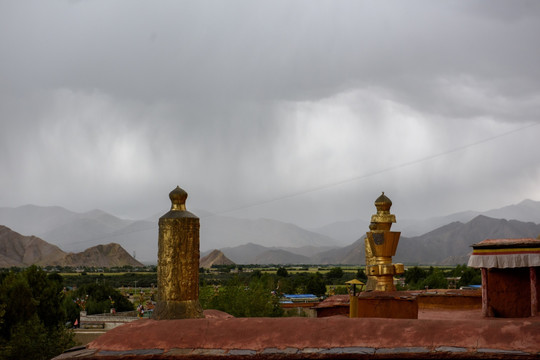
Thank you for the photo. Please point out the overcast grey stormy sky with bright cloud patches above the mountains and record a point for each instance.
(301, 111)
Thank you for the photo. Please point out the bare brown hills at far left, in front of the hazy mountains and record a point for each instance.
(20, 250)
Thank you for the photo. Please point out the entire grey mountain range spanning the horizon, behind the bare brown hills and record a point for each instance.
(438, 240)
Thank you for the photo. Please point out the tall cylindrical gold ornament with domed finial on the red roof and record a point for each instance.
(178, 262)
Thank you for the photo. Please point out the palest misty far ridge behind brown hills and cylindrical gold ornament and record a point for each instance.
(77, 231)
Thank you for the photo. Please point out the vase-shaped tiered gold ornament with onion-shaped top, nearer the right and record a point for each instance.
(381, 245)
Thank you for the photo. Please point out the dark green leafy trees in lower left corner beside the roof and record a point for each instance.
(37, 312)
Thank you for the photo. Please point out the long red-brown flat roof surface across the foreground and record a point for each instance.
(436, 334)
